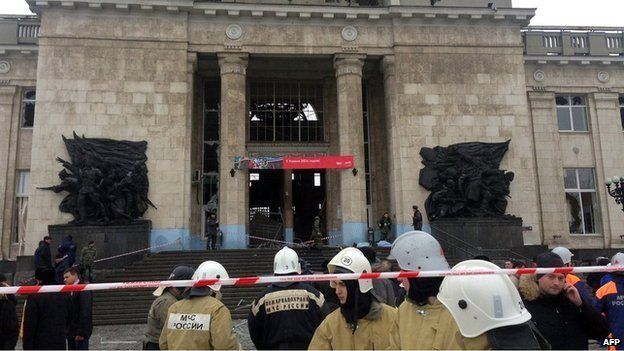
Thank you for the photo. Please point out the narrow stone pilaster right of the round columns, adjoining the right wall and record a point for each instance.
(402, 222)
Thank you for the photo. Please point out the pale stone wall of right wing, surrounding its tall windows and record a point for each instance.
(599, 148)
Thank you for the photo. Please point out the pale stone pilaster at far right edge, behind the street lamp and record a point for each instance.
(609, 149)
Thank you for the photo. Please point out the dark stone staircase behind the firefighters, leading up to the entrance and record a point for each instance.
(131, 306)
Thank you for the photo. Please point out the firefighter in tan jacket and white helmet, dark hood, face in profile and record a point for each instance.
(361, 322)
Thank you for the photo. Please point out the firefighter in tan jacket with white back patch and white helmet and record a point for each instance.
(201, 320)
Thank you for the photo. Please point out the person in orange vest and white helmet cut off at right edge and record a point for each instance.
(610, 301)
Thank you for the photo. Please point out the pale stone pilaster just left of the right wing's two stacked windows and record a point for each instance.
(549, 168)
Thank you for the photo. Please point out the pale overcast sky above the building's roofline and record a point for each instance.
(597, 13)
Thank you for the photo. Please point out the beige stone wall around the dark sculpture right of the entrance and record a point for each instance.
(459, 84)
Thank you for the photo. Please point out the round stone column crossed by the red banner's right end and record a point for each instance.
(351, 142)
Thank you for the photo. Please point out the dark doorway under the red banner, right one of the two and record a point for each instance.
(308, 201)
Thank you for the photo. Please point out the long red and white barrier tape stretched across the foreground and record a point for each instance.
(296, 278)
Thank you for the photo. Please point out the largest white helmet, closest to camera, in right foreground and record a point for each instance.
(484, 302)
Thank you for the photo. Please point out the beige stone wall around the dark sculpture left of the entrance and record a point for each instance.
(120, 76)
